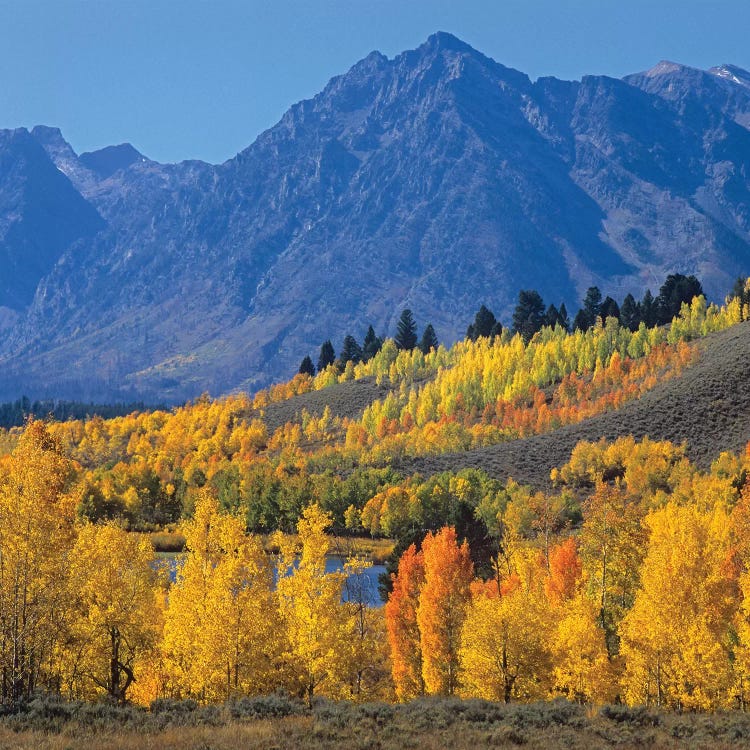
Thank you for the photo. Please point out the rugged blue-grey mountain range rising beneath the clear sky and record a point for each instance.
(437, 180)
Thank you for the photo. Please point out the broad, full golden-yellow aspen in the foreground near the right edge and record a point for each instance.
(676, 638)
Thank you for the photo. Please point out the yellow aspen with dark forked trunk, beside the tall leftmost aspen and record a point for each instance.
(112, 583)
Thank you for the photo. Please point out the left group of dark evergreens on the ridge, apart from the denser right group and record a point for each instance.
(406, 338)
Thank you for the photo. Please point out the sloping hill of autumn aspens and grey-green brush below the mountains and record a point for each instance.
(508, 407)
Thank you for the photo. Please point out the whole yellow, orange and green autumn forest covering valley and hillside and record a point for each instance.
(624, 579)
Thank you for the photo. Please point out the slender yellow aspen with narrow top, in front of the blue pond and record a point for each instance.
(312, 615)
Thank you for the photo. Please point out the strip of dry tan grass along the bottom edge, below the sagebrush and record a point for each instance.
(308, 732)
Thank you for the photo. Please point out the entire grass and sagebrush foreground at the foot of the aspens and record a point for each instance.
(278, 723)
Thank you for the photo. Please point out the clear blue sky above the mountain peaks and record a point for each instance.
(185, 79)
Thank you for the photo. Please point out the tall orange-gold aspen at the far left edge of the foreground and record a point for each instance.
(36, 535)
